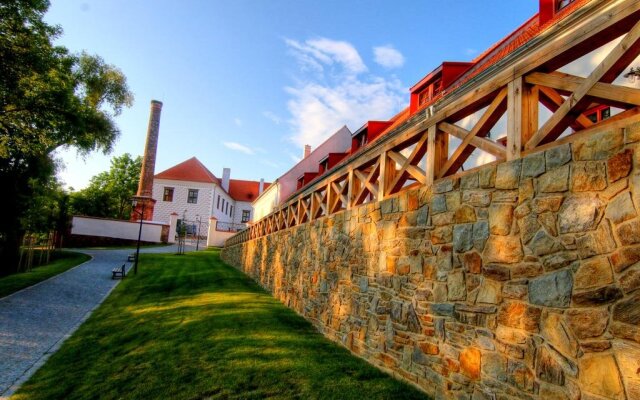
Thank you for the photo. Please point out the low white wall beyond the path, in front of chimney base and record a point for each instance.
(88, 226)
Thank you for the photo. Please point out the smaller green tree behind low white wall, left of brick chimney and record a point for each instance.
(109, 193)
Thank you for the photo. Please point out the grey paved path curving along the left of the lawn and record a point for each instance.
(35, 321)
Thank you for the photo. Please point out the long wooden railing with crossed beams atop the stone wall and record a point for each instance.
(417, 153)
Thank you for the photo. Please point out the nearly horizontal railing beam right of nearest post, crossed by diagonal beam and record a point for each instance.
(615, 95)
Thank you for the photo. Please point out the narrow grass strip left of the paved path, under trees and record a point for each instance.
(60, 262)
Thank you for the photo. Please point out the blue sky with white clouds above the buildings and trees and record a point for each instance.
(246, 83)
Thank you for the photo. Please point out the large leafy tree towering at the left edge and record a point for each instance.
(48, 98)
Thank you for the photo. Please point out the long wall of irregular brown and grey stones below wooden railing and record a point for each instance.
(519, 280)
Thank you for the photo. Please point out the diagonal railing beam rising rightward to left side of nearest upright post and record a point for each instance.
(482, 127)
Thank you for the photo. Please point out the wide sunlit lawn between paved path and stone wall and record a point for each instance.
(191, 327)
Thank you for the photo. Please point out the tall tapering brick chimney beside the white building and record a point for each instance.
(145, 203)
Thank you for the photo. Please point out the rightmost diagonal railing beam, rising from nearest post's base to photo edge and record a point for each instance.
(575, 103)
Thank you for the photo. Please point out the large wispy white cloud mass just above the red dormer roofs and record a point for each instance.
(320, 103)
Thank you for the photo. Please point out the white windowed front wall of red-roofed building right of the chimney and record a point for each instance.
(179, 204)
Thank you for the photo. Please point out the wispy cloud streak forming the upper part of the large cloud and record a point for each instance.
(316, 54)
